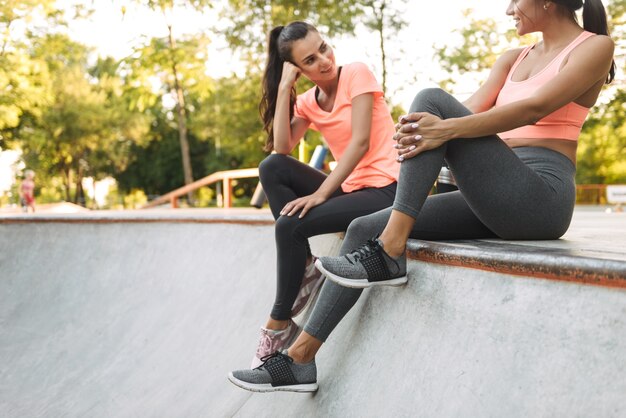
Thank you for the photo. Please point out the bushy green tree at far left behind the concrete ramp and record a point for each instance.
(85, 127)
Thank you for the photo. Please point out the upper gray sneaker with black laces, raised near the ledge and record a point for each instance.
(364, 267)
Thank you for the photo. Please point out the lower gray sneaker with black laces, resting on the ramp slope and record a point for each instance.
(277, 373)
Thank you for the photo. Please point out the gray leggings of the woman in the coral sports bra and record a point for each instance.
(525, 193)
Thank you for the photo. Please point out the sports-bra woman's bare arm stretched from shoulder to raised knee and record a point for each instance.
(587, 65)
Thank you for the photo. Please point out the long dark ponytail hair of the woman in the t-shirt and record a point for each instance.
(278, 51)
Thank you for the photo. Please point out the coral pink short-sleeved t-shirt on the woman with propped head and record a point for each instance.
(378, 167)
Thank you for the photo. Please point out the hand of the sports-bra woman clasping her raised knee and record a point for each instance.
(419, 132)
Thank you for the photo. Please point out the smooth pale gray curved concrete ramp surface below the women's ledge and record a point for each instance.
(115, 316)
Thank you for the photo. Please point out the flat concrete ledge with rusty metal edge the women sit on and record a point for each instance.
(592, 252)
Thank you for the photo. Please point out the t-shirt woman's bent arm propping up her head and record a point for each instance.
(287, 133)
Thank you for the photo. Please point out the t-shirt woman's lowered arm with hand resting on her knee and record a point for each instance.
(361, 120)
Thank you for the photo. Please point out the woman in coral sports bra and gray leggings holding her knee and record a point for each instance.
(511, 148)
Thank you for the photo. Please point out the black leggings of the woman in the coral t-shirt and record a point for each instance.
(284, 179)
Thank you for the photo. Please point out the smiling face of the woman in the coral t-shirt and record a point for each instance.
(314, 57)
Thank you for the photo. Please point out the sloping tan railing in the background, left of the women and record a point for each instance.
(225, 177)
